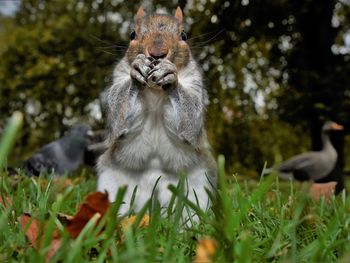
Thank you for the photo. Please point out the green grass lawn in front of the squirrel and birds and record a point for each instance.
(262, 221)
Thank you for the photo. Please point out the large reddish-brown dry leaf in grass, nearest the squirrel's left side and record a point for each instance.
(96, 202)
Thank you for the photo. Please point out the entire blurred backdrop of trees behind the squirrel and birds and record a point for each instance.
(275, 71)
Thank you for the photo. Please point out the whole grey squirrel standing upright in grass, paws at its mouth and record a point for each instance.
(155, 117)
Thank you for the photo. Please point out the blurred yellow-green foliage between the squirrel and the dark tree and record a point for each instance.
(243, 68)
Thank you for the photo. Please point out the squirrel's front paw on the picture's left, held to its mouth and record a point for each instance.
(140, 68)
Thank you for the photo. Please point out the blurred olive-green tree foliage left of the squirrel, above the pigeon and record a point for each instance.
(57, 60)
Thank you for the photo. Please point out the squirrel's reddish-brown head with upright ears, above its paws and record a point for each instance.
(159, 36)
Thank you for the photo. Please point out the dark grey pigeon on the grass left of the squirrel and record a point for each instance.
(63, 155)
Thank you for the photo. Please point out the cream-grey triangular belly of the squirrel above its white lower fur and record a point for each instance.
(153, 148)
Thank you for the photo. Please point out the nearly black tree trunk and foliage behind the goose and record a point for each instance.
(318, 75)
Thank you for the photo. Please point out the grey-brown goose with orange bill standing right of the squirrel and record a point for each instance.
(313, 165)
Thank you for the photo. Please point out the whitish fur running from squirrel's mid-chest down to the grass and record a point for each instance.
(150, 155)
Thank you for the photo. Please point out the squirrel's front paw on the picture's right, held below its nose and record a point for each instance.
(164, 73)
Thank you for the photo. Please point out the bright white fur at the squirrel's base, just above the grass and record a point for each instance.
(111, 180)
